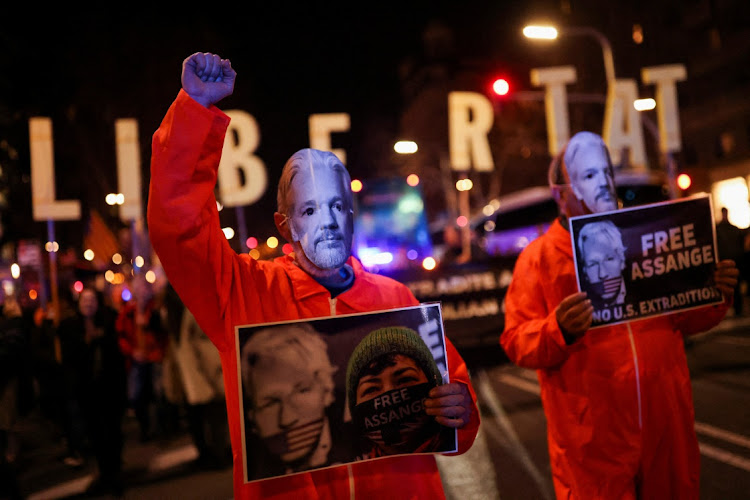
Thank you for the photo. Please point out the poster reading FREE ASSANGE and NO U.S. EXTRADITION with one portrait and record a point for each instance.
(647, 261)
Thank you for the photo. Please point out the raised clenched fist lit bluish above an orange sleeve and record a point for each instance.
(207, 78)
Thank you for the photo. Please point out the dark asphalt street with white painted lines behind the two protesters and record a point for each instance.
(509, 460)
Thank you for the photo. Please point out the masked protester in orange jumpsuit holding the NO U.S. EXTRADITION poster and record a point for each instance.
(617, 399)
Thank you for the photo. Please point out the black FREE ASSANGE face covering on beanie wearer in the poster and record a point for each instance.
(395, 418)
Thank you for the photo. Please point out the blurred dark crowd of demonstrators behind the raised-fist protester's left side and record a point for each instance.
(85, 364)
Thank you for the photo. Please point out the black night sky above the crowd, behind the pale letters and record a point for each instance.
(87, 69)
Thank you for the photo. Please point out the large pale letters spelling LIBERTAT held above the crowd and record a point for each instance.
(242, 176)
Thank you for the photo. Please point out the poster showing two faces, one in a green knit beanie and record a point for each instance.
(329, 391)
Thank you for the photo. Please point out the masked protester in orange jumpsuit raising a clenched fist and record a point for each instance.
(321, 278)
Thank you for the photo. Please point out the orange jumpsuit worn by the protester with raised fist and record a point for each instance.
(224, 289)
